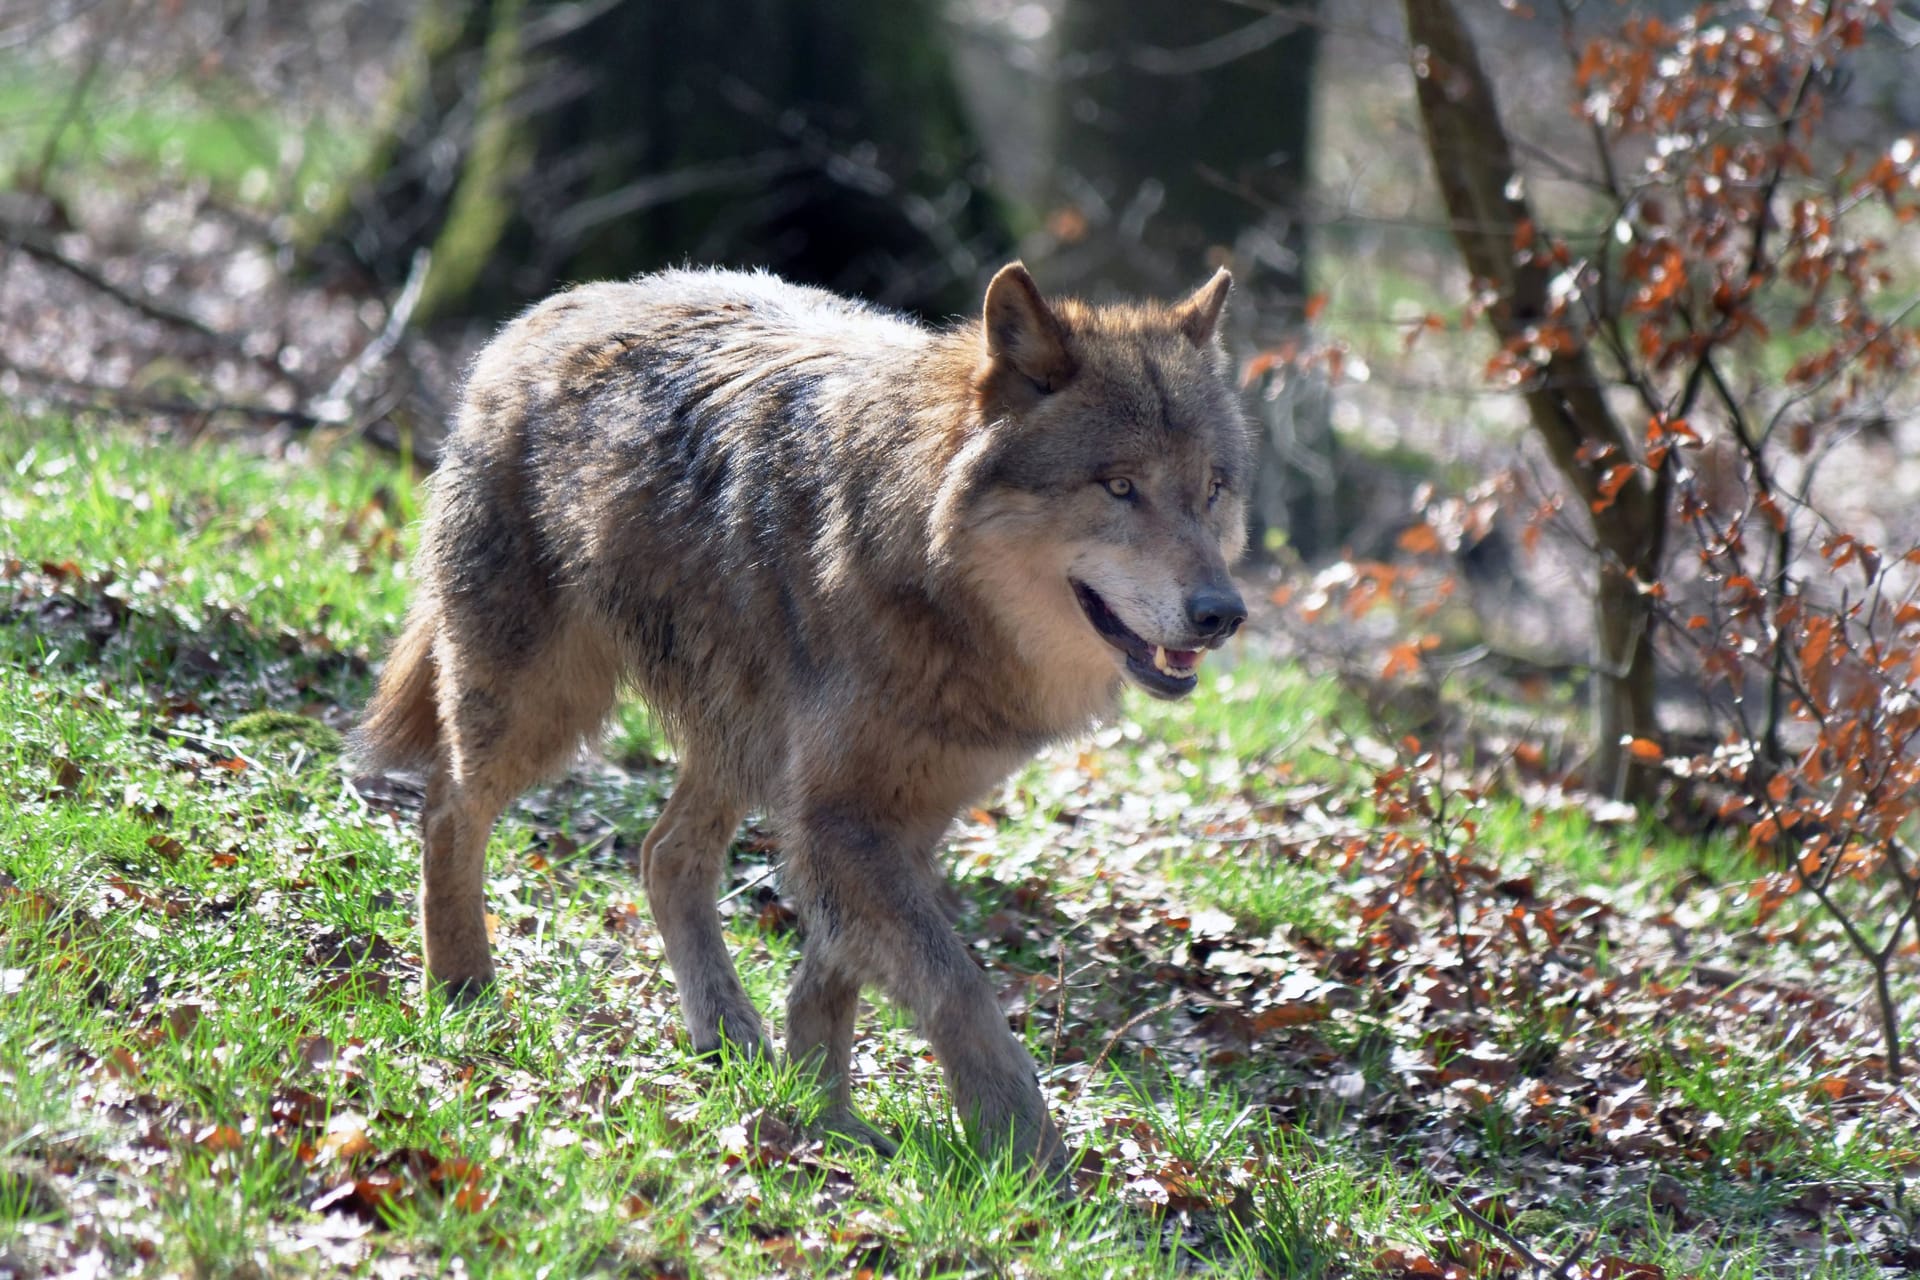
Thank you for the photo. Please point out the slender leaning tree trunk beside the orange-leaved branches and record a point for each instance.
(1568, 406)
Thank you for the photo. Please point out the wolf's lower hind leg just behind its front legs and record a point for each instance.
(681, 865)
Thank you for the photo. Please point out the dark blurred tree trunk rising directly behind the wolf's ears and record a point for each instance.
(1184, 137)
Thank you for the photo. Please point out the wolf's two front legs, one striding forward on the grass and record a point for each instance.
(871, 911)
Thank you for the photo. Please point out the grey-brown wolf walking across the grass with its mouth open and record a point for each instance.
(859, 569)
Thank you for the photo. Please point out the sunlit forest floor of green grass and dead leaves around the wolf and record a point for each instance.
(1308, 997)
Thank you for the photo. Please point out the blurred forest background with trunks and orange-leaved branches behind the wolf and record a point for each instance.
(300, 220)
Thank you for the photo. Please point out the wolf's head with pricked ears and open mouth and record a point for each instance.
(1105, 488)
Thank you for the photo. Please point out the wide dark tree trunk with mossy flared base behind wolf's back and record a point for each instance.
(540, 141)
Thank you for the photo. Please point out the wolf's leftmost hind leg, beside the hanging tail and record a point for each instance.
(504, 724)
